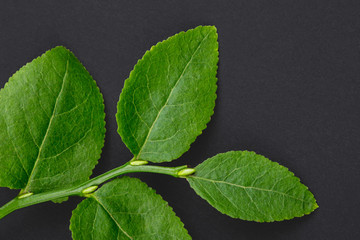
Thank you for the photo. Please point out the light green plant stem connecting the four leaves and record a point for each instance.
(19, 202)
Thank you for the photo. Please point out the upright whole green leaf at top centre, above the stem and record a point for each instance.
(170, 95)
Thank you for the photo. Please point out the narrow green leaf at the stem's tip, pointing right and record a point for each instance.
(245, 185)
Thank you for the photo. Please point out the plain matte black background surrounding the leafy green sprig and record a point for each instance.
(289, 76)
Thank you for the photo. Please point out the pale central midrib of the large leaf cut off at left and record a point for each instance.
(48, 128)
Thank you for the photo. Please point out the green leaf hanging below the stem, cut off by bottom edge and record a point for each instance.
(126, 208)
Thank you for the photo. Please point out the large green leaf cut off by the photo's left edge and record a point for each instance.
(52, 124)
